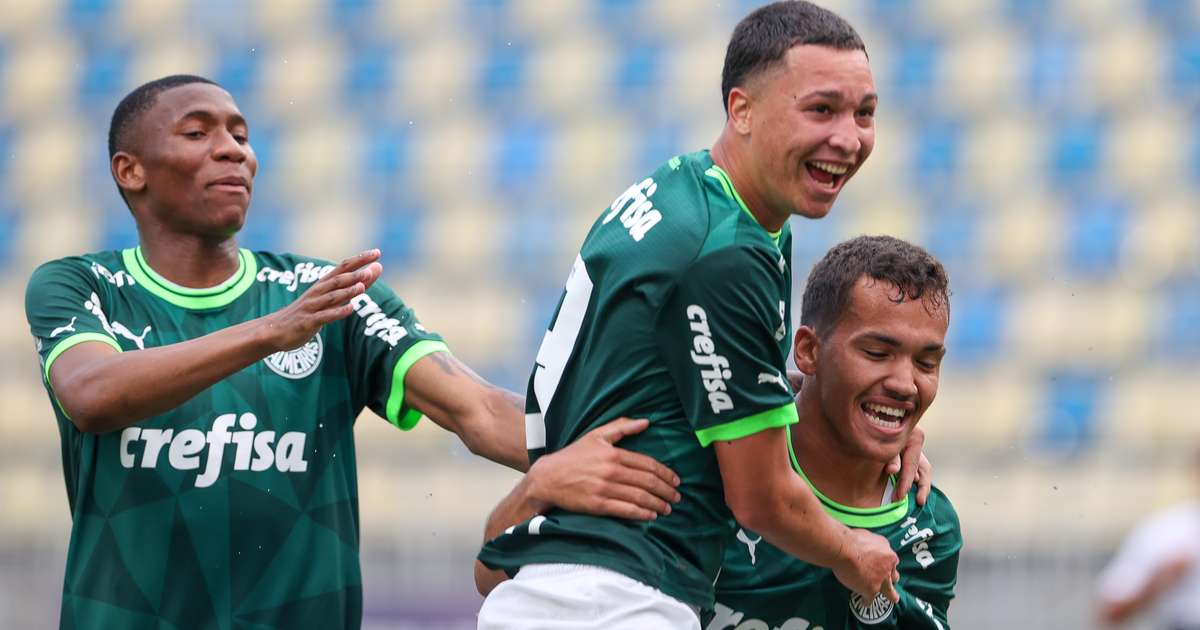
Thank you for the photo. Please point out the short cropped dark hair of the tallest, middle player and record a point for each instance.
(766, 35)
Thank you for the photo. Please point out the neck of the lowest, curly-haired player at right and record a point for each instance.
(837, 472)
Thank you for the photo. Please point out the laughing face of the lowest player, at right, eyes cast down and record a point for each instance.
(877, 371)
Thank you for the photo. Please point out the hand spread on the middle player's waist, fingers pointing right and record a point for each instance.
(592, 476)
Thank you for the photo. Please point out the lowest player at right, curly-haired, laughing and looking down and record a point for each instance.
(871, 345)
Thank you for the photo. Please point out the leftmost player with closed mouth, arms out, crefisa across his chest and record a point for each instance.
(206, 395)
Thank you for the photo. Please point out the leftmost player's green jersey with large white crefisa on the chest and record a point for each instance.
(239, 508)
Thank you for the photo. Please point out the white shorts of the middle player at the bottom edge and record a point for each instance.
(577, 597)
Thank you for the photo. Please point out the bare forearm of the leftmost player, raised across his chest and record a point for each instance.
(109, 392)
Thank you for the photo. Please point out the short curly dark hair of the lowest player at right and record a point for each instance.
(913, 272)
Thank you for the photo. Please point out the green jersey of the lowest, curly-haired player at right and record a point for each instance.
(764, 589)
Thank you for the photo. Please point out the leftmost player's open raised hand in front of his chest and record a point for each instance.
(327, 301)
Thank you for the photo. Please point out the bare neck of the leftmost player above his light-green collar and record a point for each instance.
(190, 261)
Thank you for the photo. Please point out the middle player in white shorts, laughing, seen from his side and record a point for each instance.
(679, 310)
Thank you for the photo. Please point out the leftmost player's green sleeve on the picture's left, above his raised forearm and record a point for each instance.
(65, 307)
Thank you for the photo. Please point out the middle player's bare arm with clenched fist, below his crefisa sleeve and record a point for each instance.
(769, 497)
